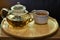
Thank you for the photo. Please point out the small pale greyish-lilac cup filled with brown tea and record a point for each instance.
(41, 16)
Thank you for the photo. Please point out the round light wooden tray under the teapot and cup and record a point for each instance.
(32, 29)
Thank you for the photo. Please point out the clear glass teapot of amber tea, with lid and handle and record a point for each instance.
(17, 16)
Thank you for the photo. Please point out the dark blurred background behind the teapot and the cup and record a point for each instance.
(53, 6)
